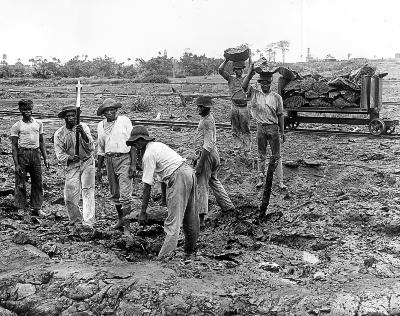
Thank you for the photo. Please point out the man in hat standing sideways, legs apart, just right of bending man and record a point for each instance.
(208, 164)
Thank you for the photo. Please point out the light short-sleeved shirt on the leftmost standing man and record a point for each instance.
(27, 133)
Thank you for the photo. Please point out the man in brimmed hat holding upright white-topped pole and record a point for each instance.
(79, 168)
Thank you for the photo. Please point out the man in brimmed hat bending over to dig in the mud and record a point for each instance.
(163, 162)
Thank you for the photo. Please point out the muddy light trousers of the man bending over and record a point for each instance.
(181, 199)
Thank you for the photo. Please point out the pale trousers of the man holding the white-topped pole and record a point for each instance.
(80, 180)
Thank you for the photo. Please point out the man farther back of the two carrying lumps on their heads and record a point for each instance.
(240, 117)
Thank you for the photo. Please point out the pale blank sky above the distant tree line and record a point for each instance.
(133, 29)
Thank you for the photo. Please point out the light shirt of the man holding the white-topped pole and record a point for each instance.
(65, 140)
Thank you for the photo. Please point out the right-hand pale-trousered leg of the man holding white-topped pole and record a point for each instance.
(88, 184)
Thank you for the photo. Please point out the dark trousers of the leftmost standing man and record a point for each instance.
(29, 160)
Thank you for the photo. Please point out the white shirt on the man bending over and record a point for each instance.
(160, 161)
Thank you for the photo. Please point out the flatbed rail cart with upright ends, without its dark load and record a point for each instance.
(370, 104)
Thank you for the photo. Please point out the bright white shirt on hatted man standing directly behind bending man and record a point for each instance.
(112, 136)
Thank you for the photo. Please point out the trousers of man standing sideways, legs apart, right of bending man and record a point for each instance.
(209, 177)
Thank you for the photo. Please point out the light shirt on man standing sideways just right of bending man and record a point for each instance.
(206, 135)
